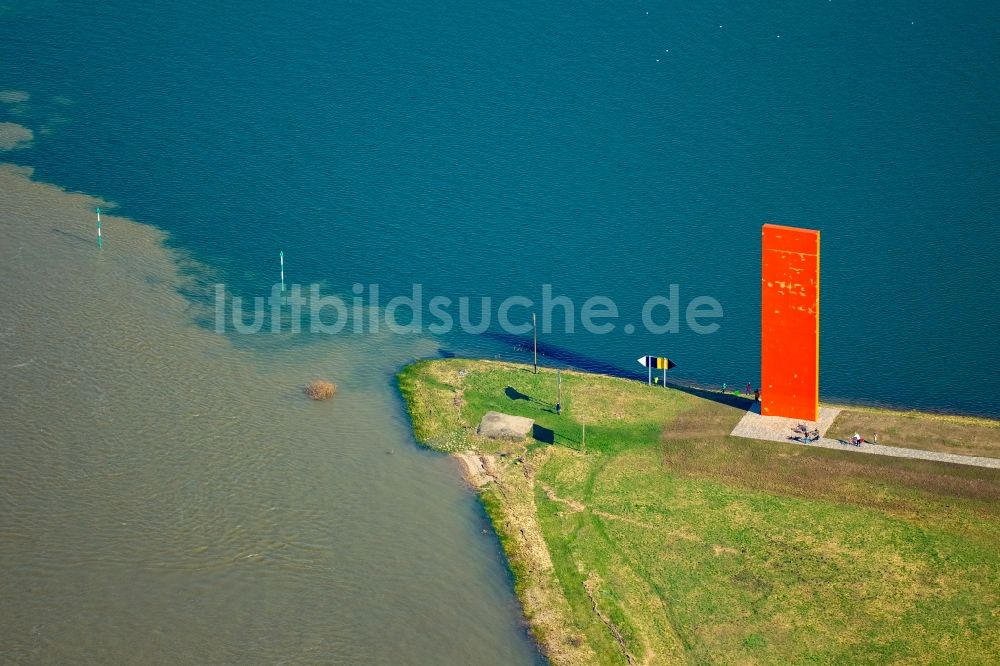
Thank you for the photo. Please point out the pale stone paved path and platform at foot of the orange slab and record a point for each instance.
(780, 429)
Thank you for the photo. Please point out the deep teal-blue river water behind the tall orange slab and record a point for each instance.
(605, 148)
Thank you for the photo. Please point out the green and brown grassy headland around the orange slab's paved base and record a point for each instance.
(663, 540)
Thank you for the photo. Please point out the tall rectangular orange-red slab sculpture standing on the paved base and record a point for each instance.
(789, 349)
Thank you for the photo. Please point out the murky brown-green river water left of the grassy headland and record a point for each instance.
(168, 496)
